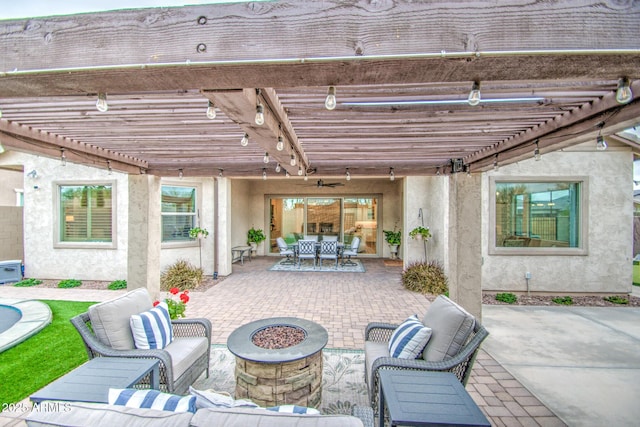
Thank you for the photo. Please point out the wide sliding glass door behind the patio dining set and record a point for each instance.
(344, 217)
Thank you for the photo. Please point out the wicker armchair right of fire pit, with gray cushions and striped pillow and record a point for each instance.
(447, 339)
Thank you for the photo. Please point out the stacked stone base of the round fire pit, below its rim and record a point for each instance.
(287, 383)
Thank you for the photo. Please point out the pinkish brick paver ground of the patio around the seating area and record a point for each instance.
(343, 303)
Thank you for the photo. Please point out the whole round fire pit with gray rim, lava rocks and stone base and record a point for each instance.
(279, 361)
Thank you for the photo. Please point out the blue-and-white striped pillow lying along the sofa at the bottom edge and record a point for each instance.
(151, 399)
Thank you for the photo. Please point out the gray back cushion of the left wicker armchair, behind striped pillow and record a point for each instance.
(110, 319)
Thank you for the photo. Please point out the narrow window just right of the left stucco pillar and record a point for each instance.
(180, 207)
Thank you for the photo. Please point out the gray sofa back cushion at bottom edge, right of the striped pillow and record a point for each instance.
(243, 417)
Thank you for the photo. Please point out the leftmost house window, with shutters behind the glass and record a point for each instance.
(85, 214)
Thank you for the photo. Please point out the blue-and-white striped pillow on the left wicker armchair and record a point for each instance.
(152, 329)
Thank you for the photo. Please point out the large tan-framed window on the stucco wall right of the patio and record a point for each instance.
(538, 216)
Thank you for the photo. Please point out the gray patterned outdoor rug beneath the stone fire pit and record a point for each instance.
(342, 378)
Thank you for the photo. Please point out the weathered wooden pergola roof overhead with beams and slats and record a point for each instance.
(160, 67)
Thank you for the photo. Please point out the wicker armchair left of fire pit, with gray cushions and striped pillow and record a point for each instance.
(107, 330)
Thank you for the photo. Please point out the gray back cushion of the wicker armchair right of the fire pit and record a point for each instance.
(451, 326)
